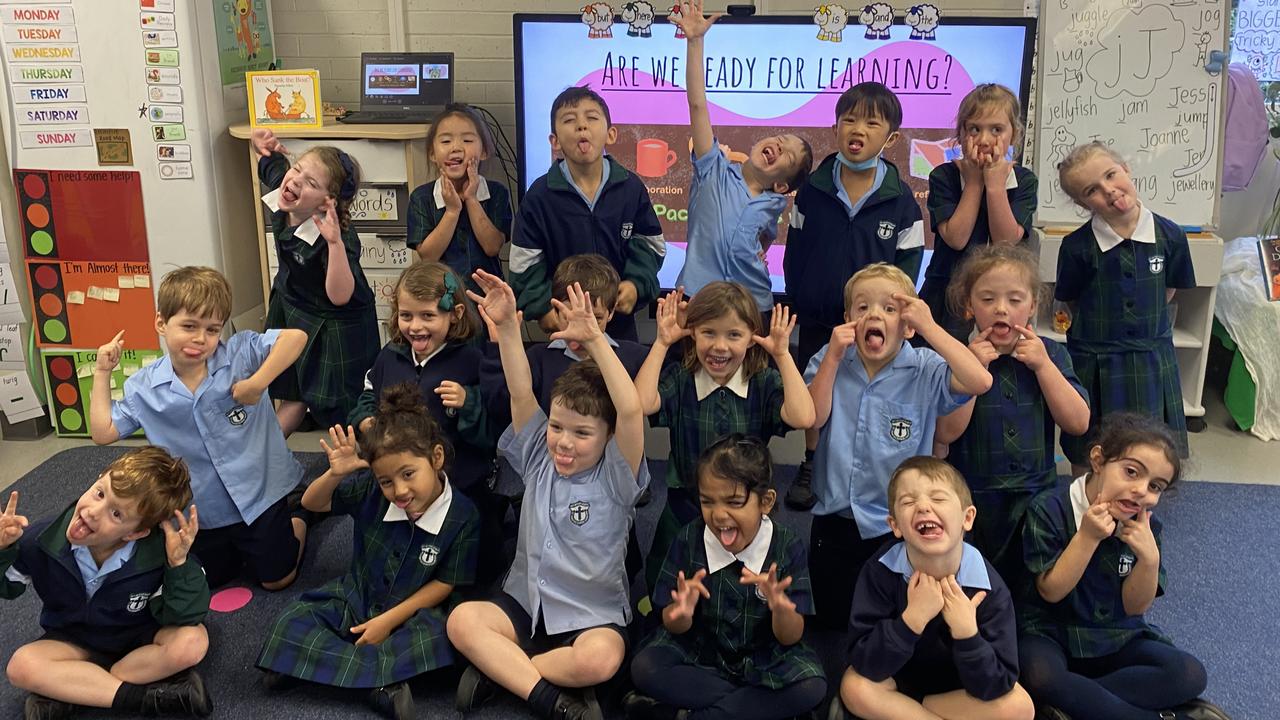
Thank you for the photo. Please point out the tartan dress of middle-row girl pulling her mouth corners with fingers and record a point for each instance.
(1007, 455)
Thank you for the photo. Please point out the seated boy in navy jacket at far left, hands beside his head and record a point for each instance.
(112, 639)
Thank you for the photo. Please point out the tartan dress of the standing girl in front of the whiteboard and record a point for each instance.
(1121, 338)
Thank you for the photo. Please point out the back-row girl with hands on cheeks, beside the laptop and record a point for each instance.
(461, 220)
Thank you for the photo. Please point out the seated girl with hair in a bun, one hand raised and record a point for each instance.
(415, 545)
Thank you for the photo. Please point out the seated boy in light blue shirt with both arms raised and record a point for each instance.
(564, 609)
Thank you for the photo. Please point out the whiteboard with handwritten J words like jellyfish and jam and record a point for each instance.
(1132, 74)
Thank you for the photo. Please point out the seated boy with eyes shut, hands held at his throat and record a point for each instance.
(932, 632)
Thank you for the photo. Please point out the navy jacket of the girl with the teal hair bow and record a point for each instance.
(473, 448)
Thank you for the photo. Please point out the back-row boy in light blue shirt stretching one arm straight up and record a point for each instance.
(733, 212)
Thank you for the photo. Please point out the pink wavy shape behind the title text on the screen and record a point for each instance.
(927, 80)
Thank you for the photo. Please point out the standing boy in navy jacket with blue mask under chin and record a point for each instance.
(854, 211)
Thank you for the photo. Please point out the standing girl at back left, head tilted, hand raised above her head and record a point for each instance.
(321, 288)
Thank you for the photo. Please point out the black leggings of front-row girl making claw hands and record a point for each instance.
(662, 675)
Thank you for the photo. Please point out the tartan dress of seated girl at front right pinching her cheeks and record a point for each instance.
(1091, 621)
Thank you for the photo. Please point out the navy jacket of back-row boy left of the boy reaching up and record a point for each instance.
(555, 224)
